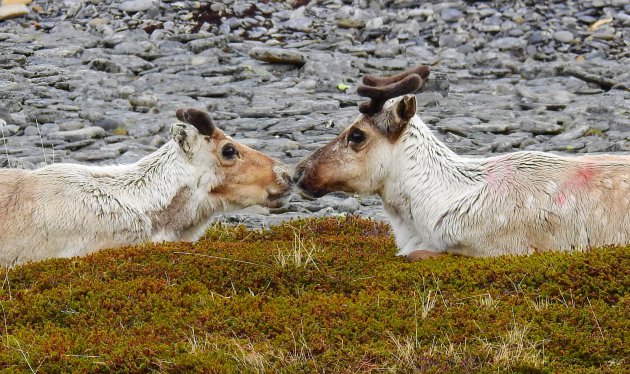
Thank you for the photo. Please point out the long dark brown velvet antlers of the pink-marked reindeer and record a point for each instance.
(381, 89)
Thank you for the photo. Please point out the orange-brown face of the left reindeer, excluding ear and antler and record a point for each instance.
(249, 176)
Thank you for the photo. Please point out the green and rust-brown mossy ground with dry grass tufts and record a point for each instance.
(312, 296)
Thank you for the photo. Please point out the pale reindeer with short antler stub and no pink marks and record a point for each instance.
(66, 210)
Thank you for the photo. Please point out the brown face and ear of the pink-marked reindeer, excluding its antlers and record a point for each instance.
(357, 160)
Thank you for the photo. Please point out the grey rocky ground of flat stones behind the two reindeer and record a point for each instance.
(94, 81)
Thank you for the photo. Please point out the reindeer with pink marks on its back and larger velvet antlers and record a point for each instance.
(439, 202)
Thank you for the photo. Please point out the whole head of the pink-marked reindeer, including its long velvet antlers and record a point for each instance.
(359, 159)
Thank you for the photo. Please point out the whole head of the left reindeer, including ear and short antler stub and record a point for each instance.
(245, 176)
